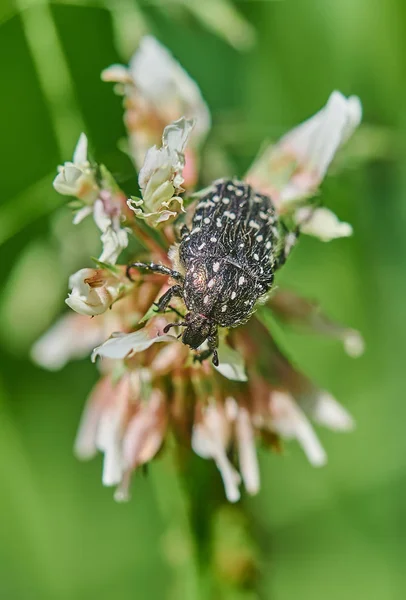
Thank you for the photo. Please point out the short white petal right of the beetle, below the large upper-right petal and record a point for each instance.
(322, 223)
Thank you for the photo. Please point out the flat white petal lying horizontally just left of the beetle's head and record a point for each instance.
(124, 344)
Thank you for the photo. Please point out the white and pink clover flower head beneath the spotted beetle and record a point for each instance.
(150, 388)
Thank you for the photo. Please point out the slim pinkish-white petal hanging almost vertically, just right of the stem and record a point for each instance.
(247, 452)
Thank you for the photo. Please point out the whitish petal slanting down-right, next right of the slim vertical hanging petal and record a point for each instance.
(289, 421)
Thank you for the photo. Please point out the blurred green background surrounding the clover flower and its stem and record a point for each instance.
(331, 533)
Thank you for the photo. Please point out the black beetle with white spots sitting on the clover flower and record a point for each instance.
(225, 262)
